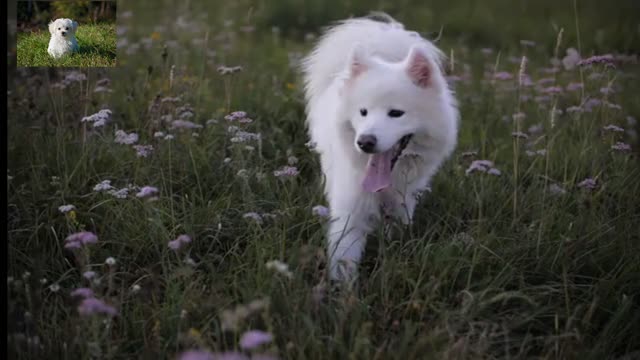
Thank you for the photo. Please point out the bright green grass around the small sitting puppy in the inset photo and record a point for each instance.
(96, 42)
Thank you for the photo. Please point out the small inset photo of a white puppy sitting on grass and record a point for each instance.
(70, 33)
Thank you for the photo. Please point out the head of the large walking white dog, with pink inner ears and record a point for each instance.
(387, 102)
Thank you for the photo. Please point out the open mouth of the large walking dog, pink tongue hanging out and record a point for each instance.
(380, 165)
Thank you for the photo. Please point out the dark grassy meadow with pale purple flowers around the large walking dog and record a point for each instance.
(540, 261)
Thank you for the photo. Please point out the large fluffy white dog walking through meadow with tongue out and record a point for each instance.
(383, 119)
